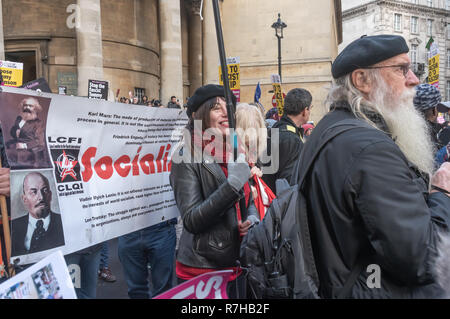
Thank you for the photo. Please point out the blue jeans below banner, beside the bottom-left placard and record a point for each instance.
(86, 275)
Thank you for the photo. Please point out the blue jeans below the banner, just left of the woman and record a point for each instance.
(154, 245)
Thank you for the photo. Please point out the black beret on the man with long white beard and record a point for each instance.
(367, 51)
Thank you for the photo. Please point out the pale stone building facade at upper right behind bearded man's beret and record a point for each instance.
(415, 20)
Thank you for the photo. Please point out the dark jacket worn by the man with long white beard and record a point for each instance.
(364, 198)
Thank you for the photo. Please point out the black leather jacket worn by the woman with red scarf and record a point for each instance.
(210, 237)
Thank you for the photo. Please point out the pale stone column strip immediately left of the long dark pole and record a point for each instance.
(210, 48)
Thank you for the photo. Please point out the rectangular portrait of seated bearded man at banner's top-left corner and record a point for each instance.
(23, 119)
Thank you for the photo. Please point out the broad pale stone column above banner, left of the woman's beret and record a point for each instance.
(171, 56)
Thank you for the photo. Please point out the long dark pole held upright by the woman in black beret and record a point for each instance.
(228, 99)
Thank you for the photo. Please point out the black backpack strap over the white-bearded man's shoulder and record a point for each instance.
(302, 220)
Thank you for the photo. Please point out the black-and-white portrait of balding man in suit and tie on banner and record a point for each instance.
(36, 221)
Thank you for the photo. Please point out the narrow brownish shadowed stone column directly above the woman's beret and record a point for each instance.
(195, 47)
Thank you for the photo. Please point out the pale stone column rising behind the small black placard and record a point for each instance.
(89, 44)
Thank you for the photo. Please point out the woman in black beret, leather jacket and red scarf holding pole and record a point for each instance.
(207, 188)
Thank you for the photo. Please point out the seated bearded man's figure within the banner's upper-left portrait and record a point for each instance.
(28, 140)
